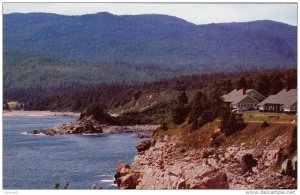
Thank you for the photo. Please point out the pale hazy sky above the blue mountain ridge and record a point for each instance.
(197, 13)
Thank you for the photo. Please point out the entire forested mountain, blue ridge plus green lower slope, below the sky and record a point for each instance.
(49, 50)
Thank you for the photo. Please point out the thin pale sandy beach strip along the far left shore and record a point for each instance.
(38, 113)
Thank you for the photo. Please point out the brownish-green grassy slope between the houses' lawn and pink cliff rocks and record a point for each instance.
(252, 136)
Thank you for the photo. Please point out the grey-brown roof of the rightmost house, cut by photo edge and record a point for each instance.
(284, 97)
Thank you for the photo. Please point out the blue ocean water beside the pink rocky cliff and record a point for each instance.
(39, 161)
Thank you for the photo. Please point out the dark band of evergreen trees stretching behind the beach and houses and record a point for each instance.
(214, 85)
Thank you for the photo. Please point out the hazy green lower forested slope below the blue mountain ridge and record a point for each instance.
(23, 70)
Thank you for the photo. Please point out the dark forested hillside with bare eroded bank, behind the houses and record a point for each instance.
(154, 100)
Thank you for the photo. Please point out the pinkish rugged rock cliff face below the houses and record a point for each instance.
(168, 165)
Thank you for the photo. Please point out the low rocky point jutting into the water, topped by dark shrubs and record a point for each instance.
(89, 125)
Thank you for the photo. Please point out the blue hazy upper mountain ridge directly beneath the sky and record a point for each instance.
(153, 39)
